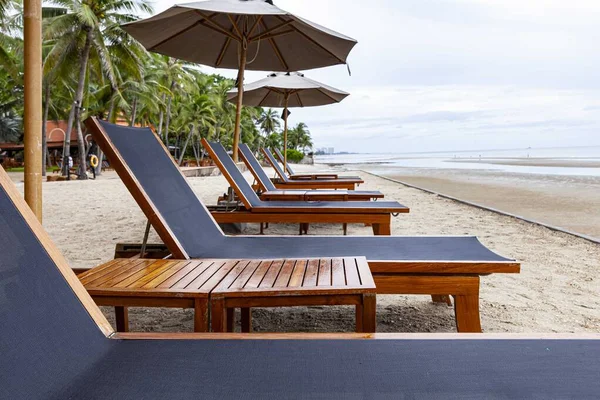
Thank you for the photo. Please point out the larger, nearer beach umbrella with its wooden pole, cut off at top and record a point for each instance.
(242, 35)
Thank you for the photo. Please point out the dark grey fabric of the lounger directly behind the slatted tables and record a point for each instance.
(198, 233)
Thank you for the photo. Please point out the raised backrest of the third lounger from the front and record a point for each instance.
(232, 173)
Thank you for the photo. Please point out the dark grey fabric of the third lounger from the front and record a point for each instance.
(255, 201)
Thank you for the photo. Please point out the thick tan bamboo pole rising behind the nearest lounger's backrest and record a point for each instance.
(32, 119)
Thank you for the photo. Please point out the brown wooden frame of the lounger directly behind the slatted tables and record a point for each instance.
(439, 278)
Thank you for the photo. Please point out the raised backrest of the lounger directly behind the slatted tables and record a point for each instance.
(159, 187)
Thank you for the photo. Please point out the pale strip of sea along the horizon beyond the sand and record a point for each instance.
(387, 163)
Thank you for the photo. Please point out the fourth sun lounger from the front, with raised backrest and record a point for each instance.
(270, 192)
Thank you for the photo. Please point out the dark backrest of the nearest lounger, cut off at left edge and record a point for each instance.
(47, 332)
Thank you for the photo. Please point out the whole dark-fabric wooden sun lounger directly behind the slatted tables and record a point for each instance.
(400, 264)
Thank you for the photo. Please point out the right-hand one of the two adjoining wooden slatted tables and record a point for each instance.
(286, 283)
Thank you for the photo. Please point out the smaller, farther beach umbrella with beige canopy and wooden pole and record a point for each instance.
(291, 89)
